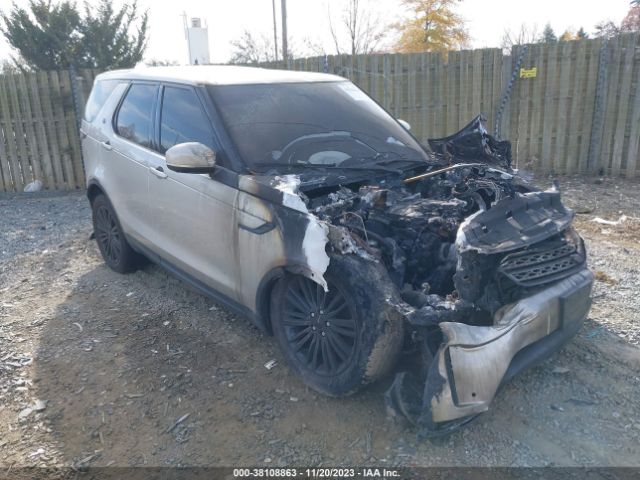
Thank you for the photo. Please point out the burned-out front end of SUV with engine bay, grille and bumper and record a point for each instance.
(479, 258)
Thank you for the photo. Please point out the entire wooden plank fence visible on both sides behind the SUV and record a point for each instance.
(574, 107)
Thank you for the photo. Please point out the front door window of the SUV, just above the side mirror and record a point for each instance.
(183, 120)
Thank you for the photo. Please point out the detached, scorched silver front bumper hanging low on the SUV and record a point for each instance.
(474, 361)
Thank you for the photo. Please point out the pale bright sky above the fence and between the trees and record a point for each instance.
(308, 21)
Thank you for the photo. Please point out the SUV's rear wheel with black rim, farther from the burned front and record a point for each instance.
(115, 250)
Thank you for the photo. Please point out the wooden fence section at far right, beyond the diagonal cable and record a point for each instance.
(581, 112)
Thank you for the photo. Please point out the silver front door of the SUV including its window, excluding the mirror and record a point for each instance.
(193, 214)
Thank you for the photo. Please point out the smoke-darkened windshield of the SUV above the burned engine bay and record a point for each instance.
(332, 124)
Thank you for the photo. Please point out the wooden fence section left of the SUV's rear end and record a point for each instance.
(39, 138)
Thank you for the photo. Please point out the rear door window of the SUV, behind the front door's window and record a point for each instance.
(134, 117)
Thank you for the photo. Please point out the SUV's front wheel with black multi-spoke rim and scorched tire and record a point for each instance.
(341, 340)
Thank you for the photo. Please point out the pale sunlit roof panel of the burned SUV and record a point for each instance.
(218, 75)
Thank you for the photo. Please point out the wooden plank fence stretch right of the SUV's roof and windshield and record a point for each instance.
(574, 107)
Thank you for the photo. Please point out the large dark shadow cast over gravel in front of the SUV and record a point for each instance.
(139, 370)
